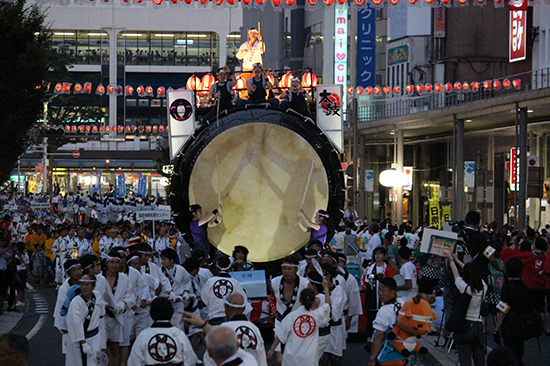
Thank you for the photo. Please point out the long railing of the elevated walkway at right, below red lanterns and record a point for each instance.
(392, 105)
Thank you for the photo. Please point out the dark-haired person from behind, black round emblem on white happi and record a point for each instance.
(162, 343)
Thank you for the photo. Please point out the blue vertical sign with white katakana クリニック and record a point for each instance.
(366, 46)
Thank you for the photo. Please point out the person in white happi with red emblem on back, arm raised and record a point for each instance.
(299, 331)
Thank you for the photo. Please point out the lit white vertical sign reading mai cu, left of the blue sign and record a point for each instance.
(341, 47)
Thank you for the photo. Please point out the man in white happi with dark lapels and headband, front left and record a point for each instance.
(84, 320)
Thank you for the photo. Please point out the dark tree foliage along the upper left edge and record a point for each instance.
(26, 63)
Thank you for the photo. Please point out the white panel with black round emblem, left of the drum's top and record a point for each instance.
(181, 118)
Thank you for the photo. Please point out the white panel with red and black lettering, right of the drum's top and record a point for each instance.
(329, 113)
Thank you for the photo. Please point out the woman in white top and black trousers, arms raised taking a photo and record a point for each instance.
(470, 342)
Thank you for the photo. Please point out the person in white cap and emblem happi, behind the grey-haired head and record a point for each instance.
(248, 334)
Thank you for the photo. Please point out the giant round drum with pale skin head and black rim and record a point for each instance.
(256, 161)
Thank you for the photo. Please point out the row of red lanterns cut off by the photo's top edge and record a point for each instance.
(292, 3)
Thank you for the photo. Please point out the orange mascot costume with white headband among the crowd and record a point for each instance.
(414, 320)
